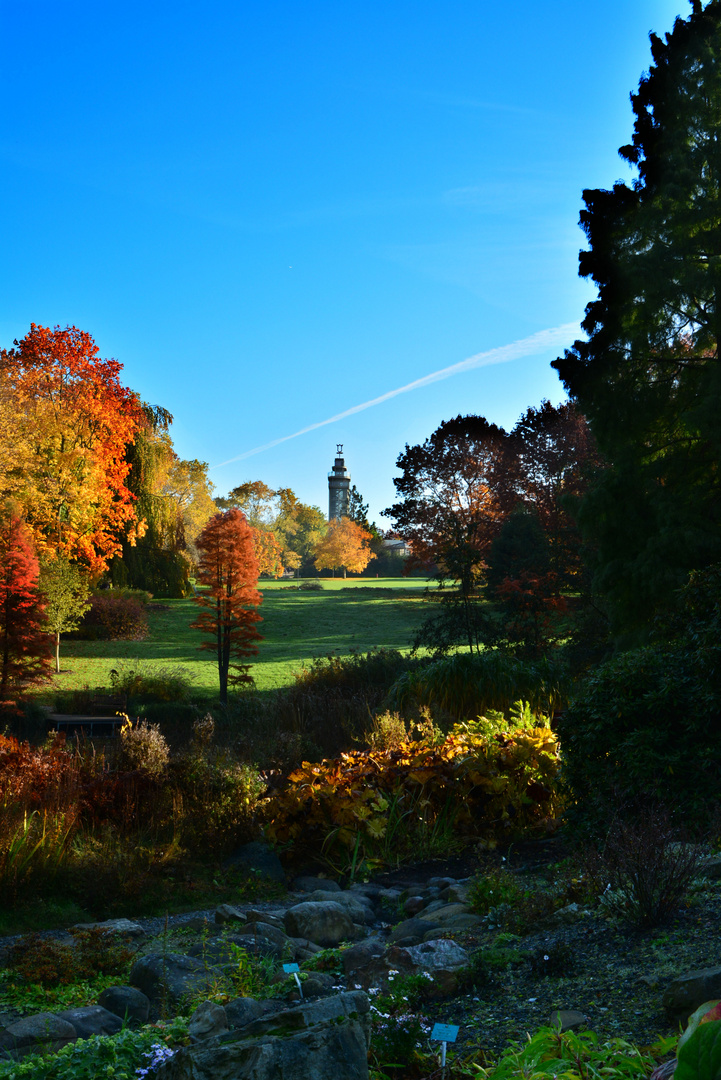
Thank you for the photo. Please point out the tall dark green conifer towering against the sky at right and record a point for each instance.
(648, 379)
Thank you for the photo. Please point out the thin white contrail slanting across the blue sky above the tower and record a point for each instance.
(537, 343)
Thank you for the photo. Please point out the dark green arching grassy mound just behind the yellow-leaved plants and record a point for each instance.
(467, 685)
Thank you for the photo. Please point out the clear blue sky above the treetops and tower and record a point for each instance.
(271, 213)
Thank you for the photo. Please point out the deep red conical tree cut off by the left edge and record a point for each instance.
(24, 642)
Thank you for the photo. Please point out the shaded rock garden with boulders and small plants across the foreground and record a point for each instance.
(335, 981)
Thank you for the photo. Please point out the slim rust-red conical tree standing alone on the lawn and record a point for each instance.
(229, 571)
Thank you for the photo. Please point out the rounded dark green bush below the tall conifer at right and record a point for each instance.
(644, 725)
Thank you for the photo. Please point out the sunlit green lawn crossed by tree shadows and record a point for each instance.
(353, 615)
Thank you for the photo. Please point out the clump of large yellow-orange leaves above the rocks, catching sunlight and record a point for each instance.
(418, 800)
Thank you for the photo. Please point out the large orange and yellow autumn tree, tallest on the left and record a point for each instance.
(72, 423)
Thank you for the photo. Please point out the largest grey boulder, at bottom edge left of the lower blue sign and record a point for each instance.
(305, 1044)
